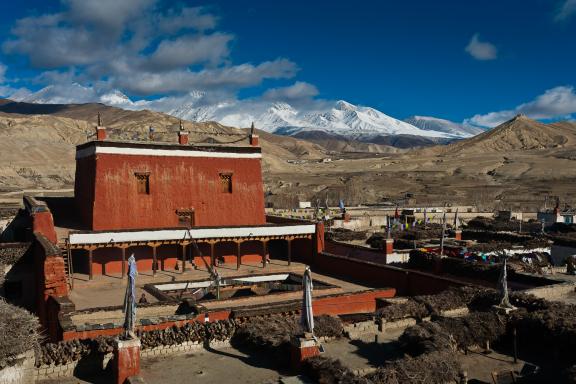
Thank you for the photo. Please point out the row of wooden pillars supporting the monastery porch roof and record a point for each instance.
(184, 246)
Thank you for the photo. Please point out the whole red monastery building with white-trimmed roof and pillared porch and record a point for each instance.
(173, 204)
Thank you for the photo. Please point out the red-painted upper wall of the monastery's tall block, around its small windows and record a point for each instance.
(175, 183)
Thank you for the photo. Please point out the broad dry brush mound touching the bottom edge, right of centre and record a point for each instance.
(433, 368)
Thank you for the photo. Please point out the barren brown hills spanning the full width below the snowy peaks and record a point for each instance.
(506, 167)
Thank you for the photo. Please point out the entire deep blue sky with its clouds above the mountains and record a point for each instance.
(476, 60)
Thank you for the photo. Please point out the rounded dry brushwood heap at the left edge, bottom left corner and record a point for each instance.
(18, 332)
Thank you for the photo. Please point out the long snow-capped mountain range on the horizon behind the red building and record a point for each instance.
(337, 118)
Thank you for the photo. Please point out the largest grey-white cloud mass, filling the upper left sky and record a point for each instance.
(136, 47)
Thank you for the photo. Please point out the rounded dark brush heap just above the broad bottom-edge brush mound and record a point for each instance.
(426, 337)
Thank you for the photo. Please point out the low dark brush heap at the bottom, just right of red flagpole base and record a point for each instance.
(324, 370)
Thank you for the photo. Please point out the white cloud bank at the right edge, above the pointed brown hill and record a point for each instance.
(558, 102)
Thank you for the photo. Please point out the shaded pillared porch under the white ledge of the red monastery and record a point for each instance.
(182, 255)
